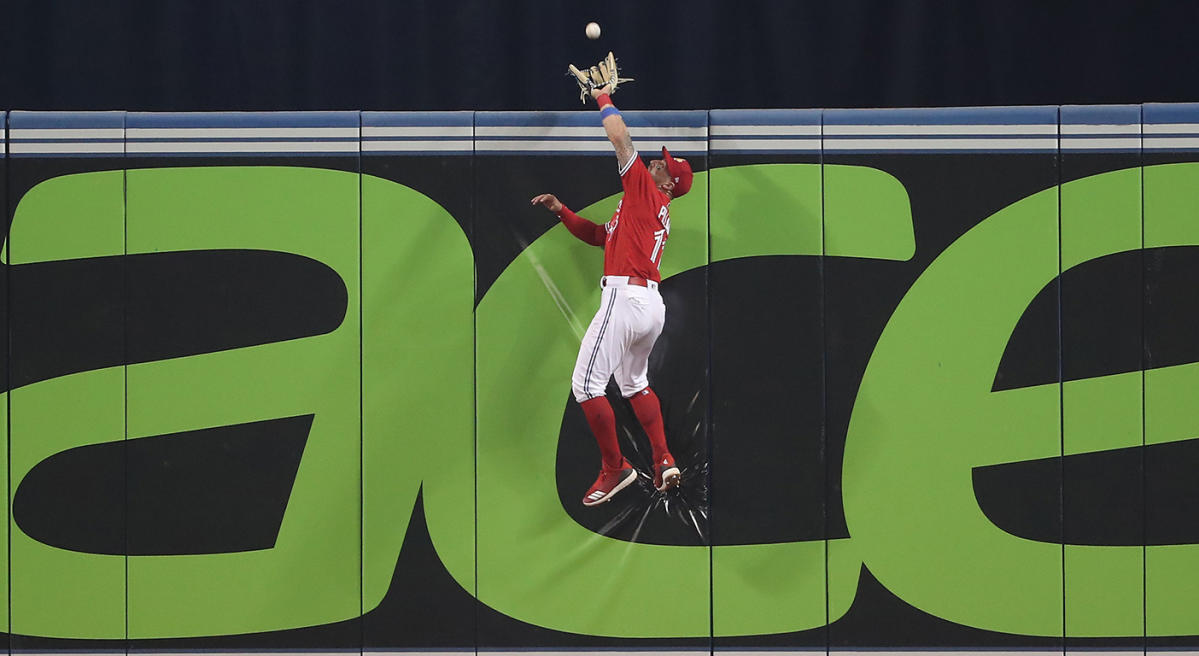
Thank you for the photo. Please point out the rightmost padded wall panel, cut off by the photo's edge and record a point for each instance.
(1172, 163)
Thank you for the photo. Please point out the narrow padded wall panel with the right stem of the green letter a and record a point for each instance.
(418, 430)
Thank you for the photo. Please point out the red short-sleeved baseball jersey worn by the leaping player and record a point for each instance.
(638, 232)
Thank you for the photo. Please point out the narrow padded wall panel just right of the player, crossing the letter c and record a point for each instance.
(767, 236)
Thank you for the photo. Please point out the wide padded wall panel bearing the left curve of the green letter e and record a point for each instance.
(920, 354)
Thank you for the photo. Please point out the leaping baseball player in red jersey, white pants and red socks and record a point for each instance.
(631, 312)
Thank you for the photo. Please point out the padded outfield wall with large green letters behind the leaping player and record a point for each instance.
(300, 382)
